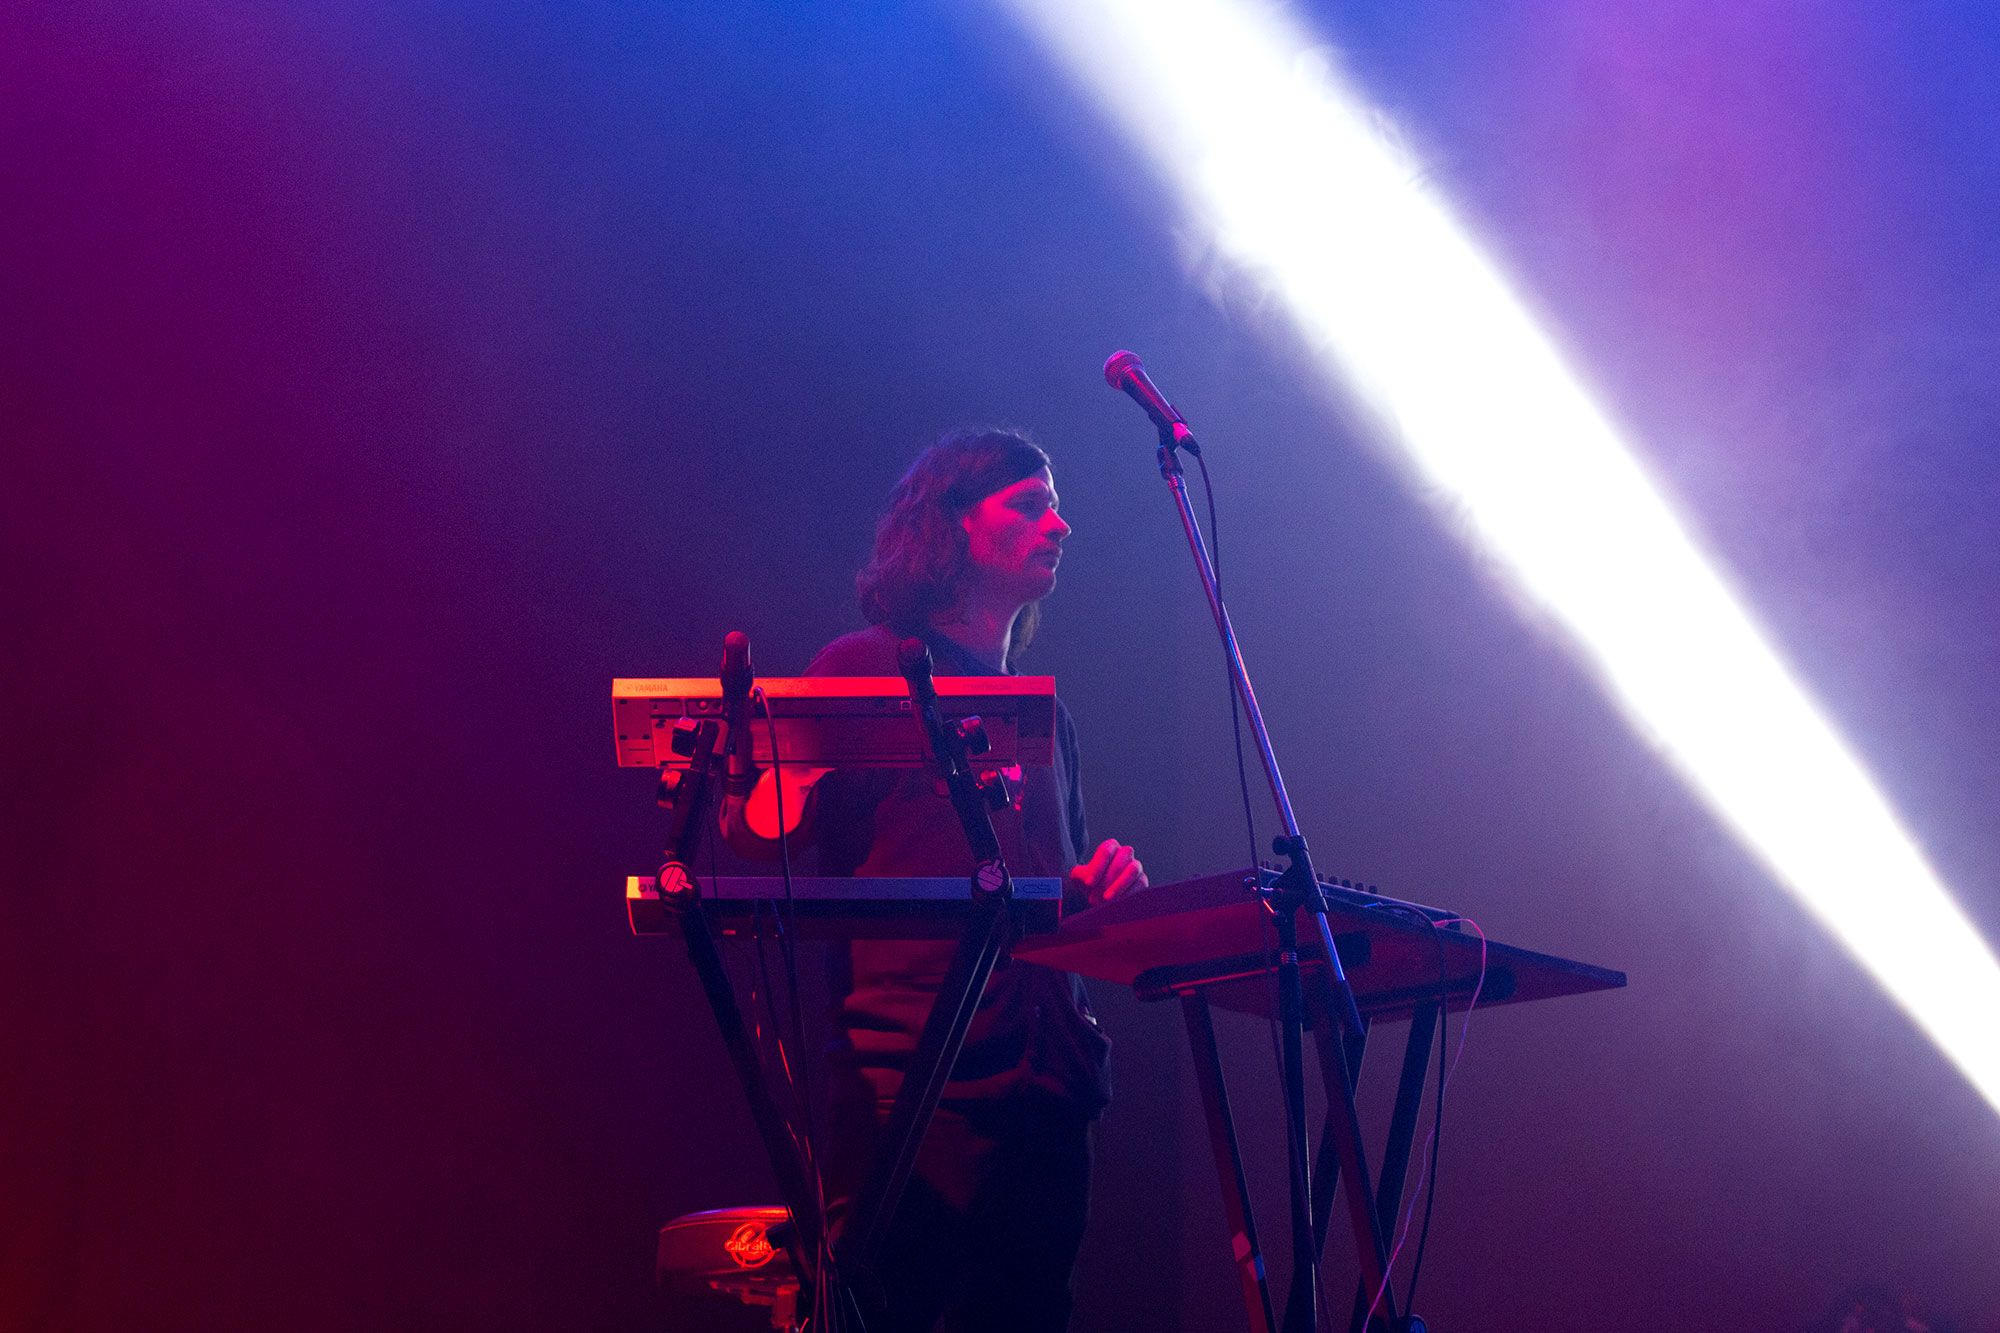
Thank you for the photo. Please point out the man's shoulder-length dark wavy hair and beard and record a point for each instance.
(921, 545)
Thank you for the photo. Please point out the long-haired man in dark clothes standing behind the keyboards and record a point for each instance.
(989, 1226)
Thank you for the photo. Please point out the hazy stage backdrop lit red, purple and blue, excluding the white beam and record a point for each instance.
(381, 381)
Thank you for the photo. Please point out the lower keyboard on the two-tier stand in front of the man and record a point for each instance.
(853, 908)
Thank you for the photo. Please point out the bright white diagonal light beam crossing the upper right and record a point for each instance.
(1299, 185)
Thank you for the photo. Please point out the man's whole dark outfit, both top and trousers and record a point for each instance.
(993, 1216)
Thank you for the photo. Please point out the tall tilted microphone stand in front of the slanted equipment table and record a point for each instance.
(1297, 890)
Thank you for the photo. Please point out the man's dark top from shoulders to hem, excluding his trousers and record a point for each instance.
(1033, 1034)
